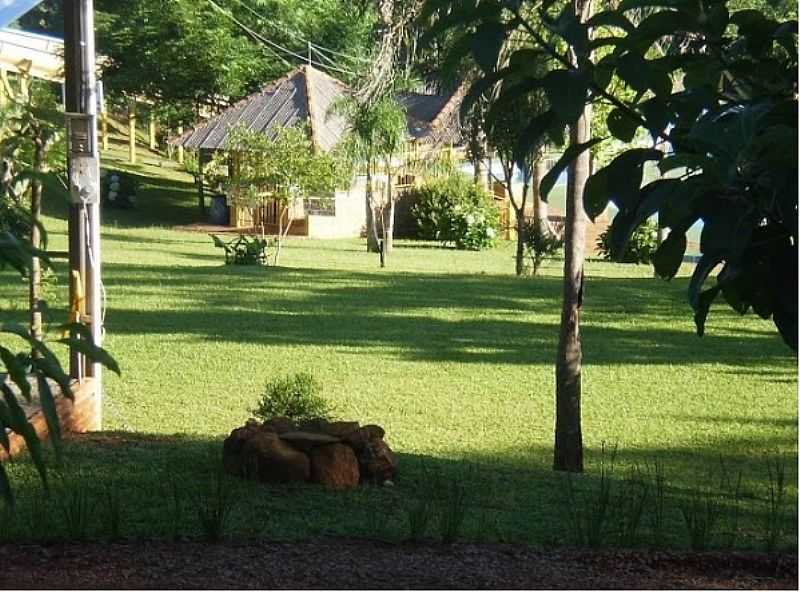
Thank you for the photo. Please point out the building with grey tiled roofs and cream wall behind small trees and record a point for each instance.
(305, 96)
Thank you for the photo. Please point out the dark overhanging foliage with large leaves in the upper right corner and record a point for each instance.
(725, 104)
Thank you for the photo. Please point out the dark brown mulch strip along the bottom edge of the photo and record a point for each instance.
(355, 564)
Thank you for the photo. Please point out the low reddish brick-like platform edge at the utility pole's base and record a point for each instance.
(79, 416)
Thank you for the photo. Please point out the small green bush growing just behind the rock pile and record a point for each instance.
(294, 396)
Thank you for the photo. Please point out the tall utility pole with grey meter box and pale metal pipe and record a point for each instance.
(84, 181)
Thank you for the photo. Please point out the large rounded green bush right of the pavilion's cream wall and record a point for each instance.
(453, 210)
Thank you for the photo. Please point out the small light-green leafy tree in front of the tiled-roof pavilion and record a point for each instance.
(284, 169)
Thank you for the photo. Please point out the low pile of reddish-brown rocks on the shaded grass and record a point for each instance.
(336, 454)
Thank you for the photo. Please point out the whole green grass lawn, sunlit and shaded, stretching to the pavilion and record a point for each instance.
(448, 351)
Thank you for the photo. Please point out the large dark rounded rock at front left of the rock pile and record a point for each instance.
(269, 459)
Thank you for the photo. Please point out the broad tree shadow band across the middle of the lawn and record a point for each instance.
(429, 317)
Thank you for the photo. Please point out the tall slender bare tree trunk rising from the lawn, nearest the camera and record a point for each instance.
(568, 454)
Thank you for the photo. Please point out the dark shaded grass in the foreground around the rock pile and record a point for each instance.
(511, 495)
